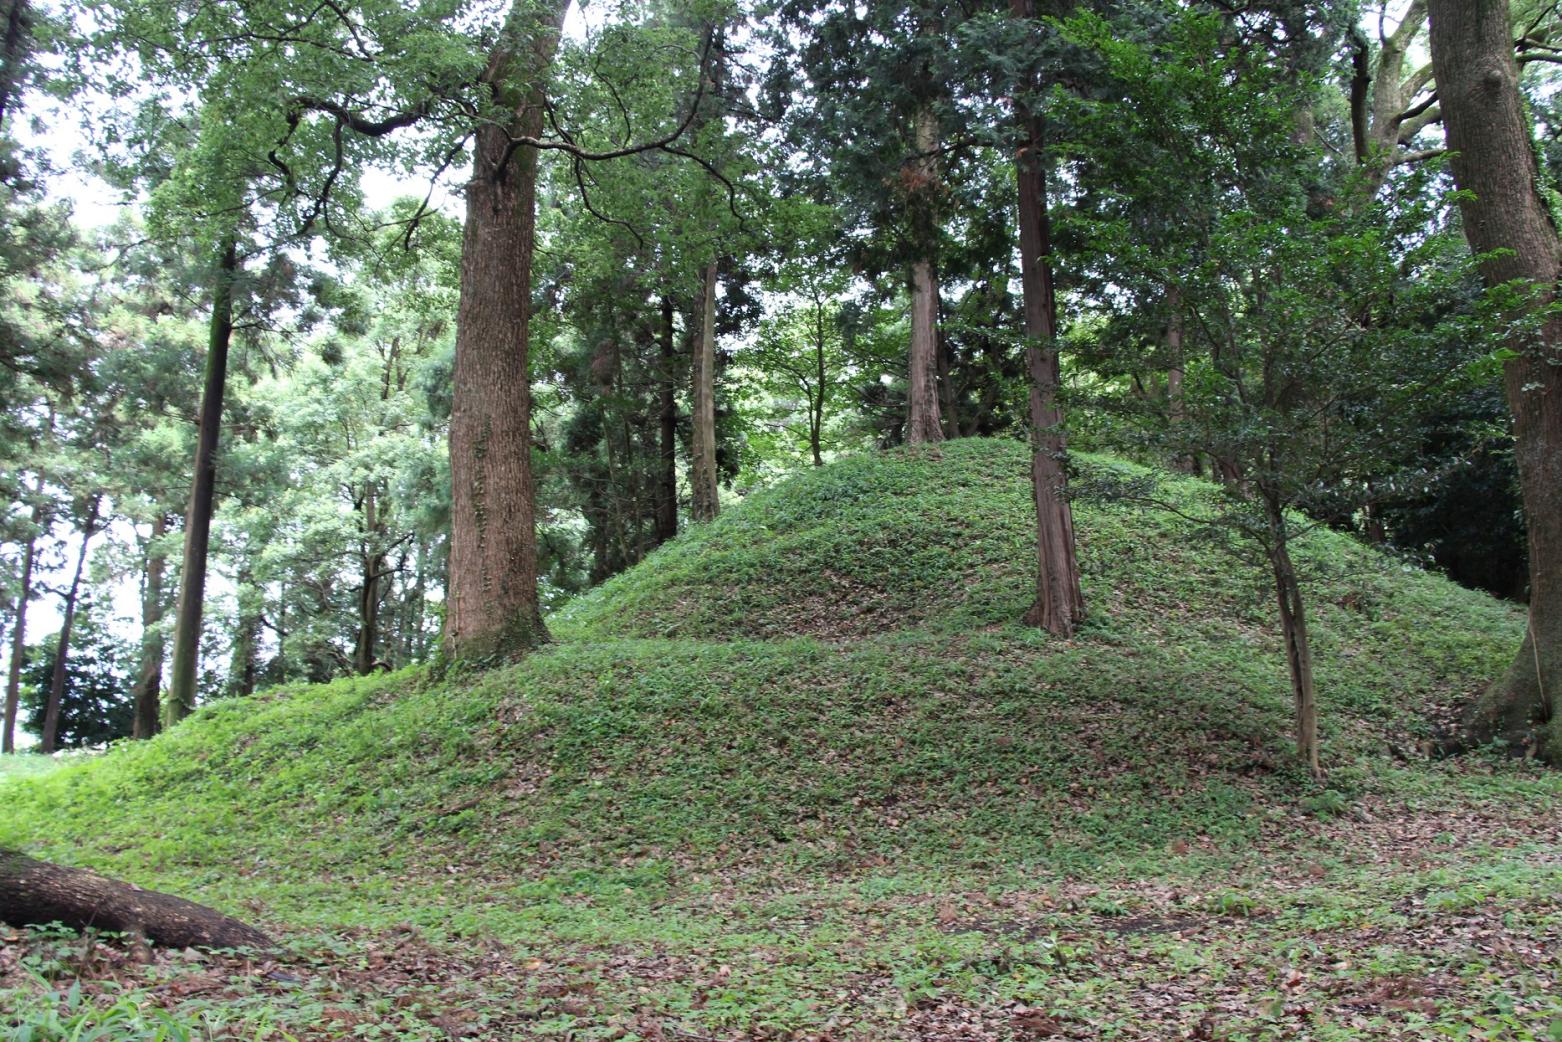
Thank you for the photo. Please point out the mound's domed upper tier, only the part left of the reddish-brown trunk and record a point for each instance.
(869, 544)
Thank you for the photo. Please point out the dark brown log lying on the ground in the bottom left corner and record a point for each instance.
(37, 893)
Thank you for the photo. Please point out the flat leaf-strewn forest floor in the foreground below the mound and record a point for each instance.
(1391, 921)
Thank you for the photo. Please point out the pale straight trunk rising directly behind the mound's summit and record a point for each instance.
(922, 365)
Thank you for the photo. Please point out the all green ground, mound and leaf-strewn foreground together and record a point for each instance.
(802, 777)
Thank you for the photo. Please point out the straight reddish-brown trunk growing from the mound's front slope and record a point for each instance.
(1060, 602)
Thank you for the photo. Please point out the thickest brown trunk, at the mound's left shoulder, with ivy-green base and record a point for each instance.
(493, 610)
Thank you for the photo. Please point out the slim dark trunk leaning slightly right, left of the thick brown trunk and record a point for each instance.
(198, 523)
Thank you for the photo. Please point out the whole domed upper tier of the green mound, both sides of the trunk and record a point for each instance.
(944, 540)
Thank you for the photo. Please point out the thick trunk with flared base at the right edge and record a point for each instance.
(1510, 226)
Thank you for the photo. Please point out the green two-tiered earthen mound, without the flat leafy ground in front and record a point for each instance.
(946, 743)
